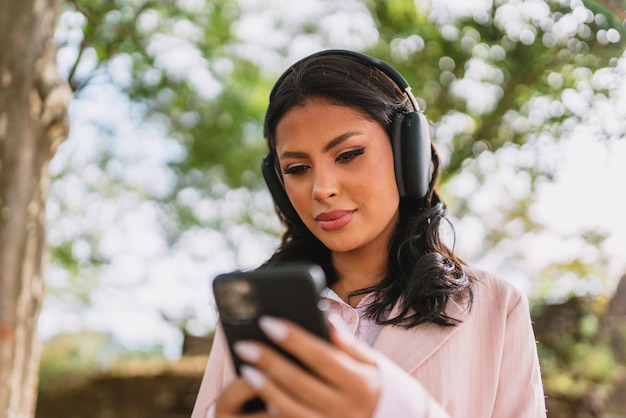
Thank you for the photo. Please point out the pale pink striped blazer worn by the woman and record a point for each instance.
(486, 367)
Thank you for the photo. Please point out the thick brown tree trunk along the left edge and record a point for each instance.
(33, 122)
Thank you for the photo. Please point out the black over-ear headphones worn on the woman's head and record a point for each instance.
(410, 141)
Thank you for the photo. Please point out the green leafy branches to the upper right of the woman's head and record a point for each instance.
(520, 56)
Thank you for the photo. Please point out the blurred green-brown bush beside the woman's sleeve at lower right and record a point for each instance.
(579, 371)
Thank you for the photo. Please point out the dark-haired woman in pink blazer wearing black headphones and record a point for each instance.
(415, 332)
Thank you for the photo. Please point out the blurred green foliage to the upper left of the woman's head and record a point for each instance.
(213, 126)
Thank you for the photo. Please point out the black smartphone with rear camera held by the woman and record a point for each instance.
(288, 291)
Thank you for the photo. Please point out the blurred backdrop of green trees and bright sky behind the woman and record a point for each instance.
(158, 187)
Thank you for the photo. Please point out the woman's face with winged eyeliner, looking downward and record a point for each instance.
(339, 175)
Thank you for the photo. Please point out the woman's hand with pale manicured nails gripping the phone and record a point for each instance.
(342, 380)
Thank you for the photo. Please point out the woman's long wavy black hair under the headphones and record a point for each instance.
(423, 274)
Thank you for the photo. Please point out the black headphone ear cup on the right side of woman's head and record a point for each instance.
(415, 155)
